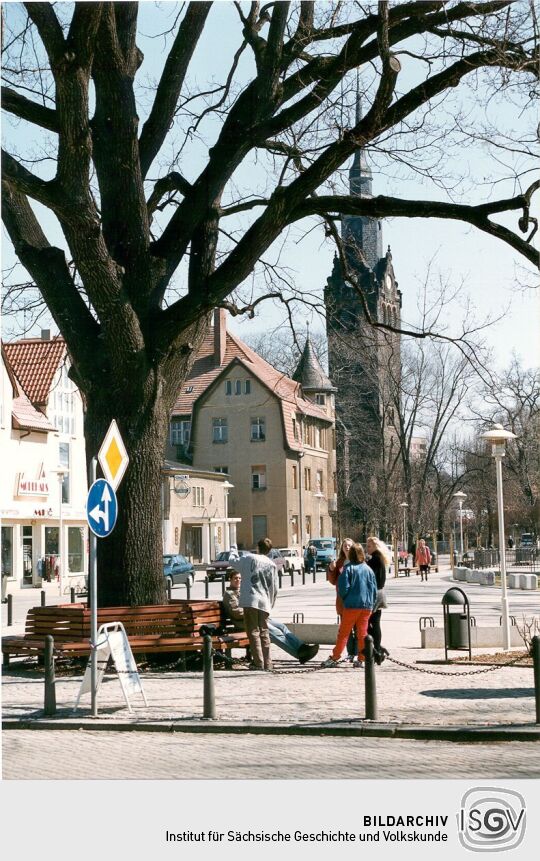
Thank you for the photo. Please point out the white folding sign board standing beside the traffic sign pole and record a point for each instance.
(113, 643)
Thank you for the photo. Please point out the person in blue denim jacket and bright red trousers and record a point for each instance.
(357, 589)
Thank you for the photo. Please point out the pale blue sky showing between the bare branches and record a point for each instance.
(492, 274)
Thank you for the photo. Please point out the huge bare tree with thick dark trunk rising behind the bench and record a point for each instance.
(134, 223)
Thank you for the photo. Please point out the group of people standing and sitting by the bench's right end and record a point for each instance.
(359, 583)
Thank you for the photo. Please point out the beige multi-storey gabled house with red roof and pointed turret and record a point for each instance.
(273, 438)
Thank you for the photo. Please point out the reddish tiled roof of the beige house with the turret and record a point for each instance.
(205, 370)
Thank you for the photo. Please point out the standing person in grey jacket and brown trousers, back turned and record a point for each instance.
(258, 592)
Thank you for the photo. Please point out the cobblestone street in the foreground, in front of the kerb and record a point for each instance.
(79, 755)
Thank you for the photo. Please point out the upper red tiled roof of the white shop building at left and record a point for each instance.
(35, 363)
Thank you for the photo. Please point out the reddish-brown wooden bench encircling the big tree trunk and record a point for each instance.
(152, 629)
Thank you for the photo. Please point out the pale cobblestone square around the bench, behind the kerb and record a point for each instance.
(501, 696)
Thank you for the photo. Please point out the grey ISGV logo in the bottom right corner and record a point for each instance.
(491, 819)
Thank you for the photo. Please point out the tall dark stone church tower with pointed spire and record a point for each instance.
(364, 362)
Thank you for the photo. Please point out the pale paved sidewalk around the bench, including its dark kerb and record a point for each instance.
(424, 700)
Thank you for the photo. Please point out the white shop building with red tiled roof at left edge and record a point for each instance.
(41, 432)
